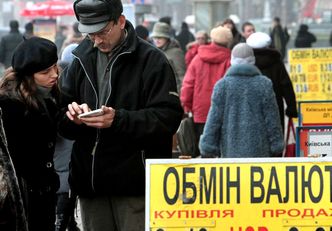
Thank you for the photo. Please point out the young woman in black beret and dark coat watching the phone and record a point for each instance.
(28, 94)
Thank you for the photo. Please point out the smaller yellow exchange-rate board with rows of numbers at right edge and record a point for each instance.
(310, 70)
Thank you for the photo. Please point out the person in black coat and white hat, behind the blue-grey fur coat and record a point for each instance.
(268, 61)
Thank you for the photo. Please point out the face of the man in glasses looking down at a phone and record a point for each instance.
(110, 36)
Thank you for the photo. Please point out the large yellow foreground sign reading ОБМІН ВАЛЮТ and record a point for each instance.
(269, 194)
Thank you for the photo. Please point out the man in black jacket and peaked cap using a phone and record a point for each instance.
(134, 85)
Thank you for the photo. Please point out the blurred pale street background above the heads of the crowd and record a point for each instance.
(52, 16)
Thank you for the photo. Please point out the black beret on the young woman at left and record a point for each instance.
(34, 55)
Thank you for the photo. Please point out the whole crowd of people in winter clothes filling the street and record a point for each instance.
(234, 84)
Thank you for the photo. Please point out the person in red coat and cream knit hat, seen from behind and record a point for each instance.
(208, 66)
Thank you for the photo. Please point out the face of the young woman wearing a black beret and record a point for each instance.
(47, 77)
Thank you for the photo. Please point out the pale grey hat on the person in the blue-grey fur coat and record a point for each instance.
(242, 53)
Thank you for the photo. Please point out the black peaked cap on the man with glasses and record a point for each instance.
(94, 15)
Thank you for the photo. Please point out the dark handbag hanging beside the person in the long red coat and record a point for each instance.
(186, 137)
